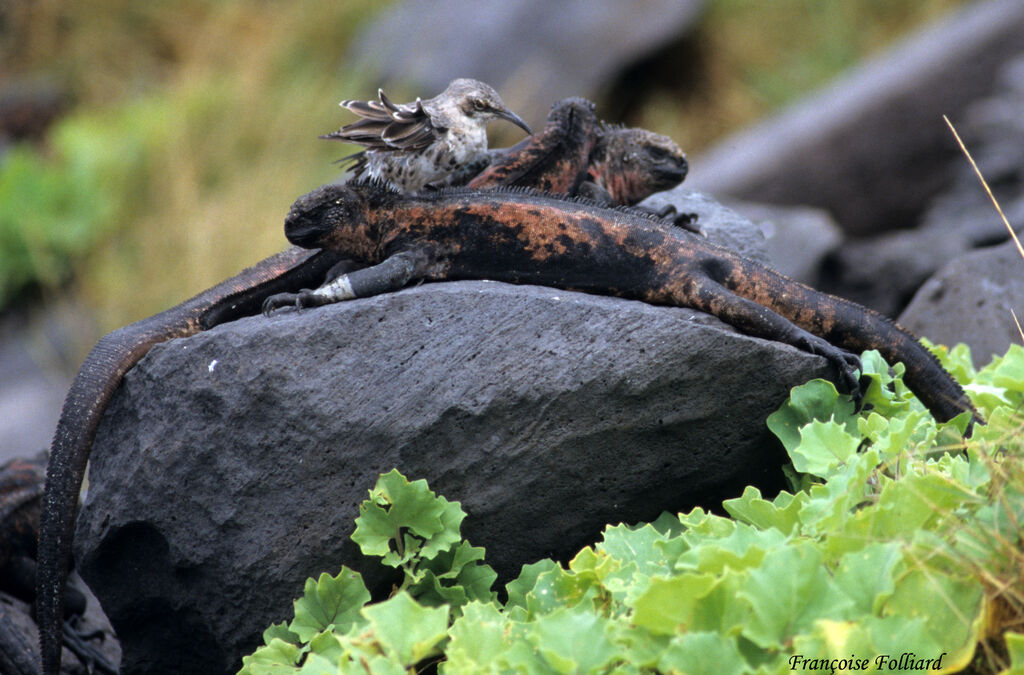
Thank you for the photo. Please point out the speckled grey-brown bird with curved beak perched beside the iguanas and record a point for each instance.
(411, 146)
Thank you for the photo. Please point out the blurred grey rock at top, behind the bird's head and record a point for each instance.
(534, 52)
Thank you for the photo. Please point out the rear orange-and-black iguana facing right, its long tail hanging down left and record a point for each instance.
(573, 151)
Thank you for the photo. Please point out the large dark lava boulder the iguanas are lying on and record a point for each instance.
(231, 465)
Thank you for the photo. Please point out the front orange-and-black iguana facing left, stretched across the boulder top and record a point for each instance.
(528, 238)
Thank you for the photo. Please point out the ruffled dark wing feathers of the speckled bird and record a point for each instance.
(386, 125)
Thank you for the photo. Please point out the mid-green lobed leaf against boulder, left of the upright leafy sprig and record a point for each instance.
(329, 602)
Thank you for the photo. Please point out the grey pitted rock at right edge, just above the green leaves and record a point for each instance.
(970, 301)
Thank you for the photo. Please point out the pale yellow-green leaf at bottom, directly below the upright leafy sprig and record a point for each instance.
(408, 629)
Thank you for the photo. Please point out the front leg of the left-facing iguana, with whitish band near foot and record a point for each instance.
(392, 275)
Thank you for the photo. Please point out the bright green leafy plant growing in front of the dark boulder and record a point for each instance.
(899, 538)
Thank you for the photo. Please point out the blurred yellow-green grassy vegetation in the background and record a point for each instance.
(193, 125)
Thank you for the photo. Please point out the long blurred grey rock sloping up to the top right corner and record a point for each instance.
(872, 148)
